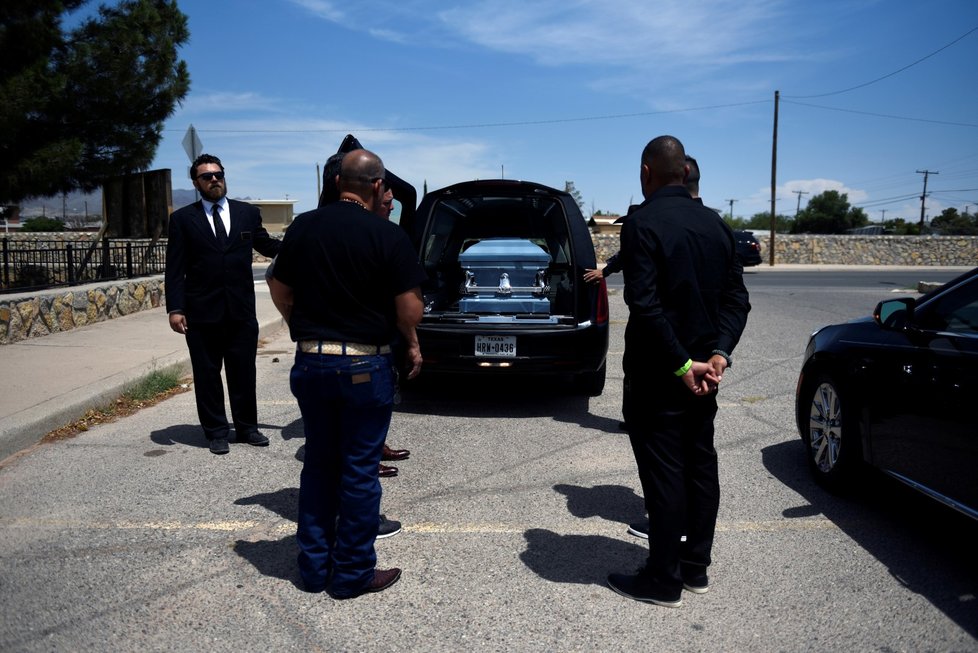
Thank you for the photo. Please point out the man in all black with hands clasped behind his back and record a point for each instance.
(687, 308)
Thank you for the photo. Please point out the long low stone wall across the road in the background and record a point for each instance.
(848, 250)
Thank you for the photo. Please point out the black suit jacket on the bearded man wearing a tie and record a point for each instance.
(204, 282)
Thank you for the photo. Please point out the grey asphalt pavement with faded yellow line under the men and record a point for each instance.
(132, 537)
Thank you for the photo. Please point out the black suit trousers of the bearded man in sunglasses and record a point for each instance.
(232, 344)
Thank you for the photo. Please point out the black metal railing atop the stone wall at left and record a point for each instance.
(39, 264)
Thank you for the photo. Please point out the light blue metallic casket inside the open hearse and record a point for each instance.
(505, 276)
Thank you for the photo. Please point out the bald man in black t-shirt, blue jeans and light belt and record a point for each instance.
(347, 281)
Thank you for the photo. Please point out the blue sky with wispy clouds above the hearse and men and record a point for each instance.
(572, 91)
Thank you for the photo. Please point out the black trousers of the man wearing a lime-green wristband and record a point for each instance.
(671, 432)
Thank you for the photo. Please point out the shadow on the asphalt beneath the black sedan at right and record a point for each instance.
(927, 547)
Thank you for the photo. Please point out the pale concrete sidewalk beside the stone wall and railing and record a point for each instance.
(50, 381)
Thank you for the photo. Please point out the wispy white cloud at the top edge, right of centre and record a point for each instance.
(636, 34)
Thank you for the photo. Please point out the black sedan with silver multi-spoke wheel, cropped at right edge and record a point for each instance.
(895, 390)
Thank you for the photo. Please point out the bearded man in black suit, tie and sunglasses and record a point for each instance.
(210, 298)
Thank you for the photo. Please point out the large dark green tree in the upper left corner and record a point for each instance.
(87, 104)
